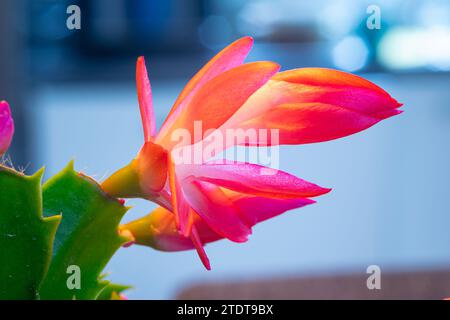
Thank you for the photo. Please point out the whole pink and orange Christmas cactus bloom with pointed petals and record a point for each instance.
(202, 199)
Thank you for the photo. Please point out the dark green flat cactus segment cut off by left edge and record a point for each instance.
(25, 236)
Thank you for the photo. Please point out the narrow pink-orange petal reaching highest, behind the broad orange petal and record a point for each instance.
(230, 57)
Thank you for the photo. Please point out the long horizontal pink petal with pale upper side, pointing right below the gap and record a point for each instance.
(252, 179)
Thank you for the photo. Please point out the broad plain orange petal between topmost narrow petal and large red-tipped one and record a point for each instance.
(217, 100)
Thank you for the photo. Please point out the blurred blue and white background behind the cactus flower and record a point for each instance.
(73, 97)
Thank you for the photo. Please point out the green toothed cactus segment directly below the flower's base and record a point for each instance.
(86, 239)
